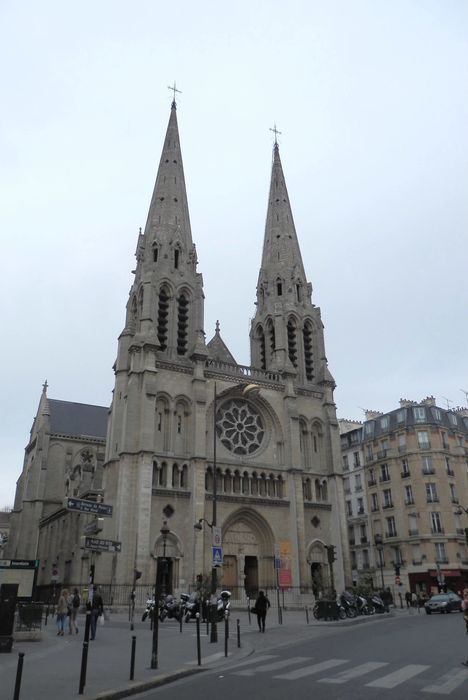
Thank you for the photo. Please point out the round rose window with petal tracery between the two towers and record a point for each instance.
(239, 427)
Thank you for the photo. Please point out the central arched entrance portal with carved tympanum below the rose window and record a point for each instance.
(248, 548)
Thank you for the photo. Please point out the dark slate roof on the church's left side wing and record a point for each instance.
(69, 418)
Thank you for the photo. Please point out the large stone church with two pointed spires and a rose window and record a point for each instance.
(202, 460)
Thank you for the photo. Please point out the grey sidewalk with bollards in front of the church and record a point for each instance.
(51, 668)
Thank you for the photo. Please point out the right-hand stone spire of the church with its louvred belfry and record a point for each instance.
(287, 332)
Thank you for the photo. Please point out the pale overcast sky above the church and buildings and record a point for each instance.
(371, 99)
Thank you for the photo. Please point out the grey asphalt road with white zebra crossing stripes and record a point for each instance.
(411, 656)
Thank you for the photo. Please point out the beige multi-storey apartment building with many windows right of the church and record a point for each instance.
(406, 495)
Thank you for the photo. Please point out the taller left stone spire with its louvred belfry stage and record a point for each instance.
(165, 308)
